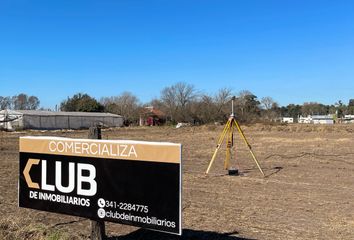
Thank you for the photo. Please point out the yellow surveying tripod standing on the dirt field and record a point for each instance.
(229, 133)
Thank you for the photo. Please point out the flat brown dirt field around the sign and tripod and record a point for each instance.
(308, 192)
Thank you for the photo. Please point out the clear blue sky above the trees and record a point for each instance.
(294, 51)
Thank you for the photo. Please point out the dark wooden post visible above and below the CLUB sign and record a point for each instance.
(98, 231)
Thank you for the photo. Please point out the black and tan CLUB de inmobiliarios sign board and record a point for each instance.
(130, 182)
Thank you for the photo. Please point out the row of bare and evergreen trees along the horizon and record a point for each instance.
(182, 102)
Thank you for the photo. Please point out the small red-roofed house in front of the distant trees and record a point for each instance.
(151, 116)
